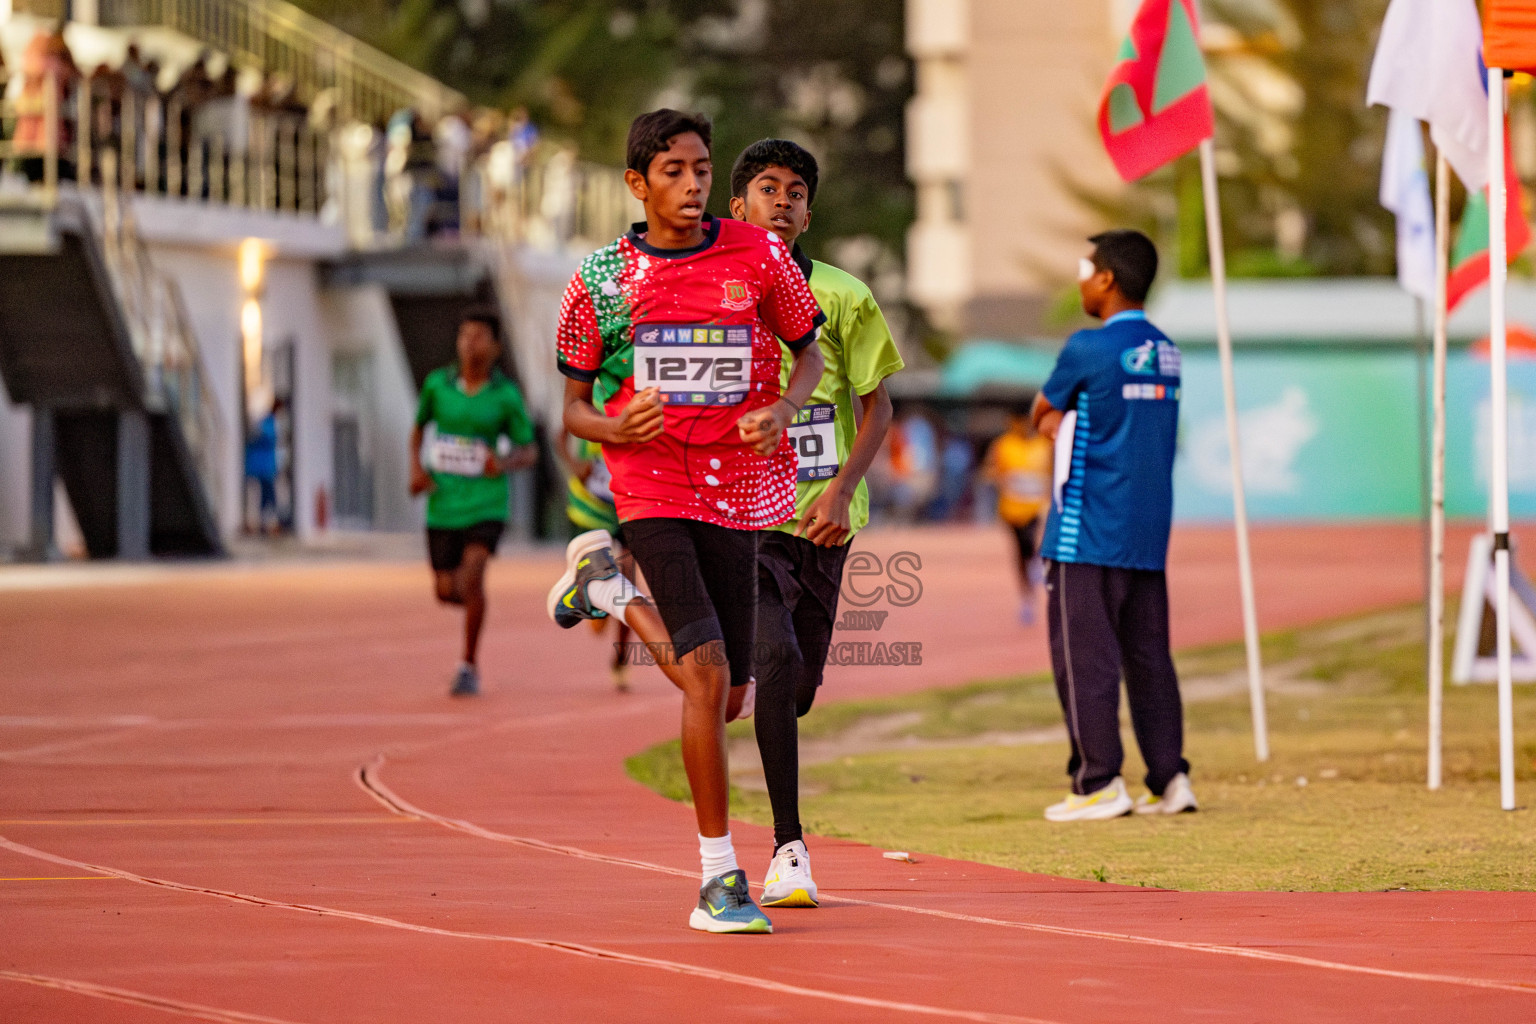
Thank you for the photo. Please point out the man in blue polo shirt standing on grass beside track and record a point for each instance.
(1111, 406)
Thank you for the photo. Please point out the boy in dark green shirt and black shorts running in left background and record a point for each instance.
(458, 460)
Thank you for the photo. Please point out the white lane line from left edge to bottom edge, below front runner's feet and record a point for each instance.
(577, 950)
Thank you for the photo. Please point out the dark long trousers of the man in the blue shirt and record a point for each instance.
(1105, 621)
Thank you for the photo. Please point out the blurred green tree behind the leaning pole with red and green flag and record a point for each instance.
(1299, 150)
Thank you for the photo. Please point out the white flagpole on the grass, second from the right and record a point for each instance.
(1437, 638)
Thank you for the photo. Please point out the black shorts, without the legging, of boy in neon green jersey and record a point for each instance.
(798, 586)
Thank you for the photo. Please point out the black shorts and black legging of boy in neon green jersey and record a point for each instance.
(798, 586)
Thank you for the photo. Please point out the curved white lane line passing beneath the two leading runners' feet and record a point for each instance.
(368, 778)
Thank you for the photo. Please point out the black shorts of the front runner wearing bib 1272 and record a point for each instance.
(704, 583)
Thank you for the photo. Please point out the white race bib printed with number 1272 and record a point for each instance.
(695, 365)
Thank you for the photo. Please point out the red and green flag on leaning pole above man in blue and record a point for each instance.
(1157, 107)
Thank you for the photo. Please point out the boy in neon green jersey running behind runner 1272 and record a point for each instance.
(801, 564)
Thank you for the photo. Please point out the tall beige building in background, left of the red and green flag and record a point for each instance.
(1002, 140)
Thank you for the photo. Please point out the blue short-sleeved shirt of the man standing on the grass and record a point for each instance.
(1116, 506)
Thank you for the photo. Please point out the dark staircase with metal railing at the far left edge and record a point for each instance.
(96, 343)
